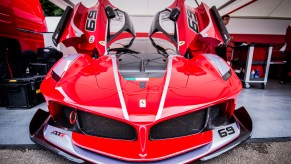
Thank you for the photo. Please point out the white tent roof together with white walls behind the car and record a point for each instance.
(269, 17)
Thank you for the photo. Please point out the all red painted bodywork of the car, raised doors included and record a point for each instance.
(96, 86)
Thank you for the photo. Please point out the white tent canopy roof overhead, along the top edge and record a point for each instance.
(273, 9)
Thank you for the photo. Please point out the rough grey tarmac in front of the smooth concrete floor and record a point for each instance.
(246, 153)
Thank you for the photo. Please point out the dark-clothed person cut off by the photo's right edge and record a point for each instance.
(287, 66)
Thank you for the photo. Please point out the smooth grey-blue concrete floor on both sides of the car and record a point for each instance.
(268, 108)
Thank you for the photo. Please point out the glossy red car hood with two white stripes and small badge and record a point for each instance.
(96, 86)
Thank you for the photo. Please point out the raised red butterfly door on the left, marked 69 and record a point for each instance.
(91, 30)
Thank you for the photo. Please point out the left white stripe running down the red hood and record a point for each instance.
(121, 98)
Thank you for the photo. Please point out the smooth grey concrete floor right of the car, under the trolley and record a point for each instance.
(269, 109)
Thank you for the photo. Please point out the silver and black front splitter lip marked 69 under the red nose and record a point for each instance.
(61, 143)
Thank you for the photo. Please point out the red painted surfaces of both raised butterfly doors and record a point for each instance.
(208, 31)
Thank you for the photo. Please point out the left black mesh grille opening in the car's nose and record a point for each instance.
(104, 127)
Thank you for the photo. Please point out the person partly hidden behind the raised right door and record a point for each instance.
(225, 52)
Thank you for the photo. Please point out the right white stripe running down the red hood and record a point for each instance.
(165, 90)
